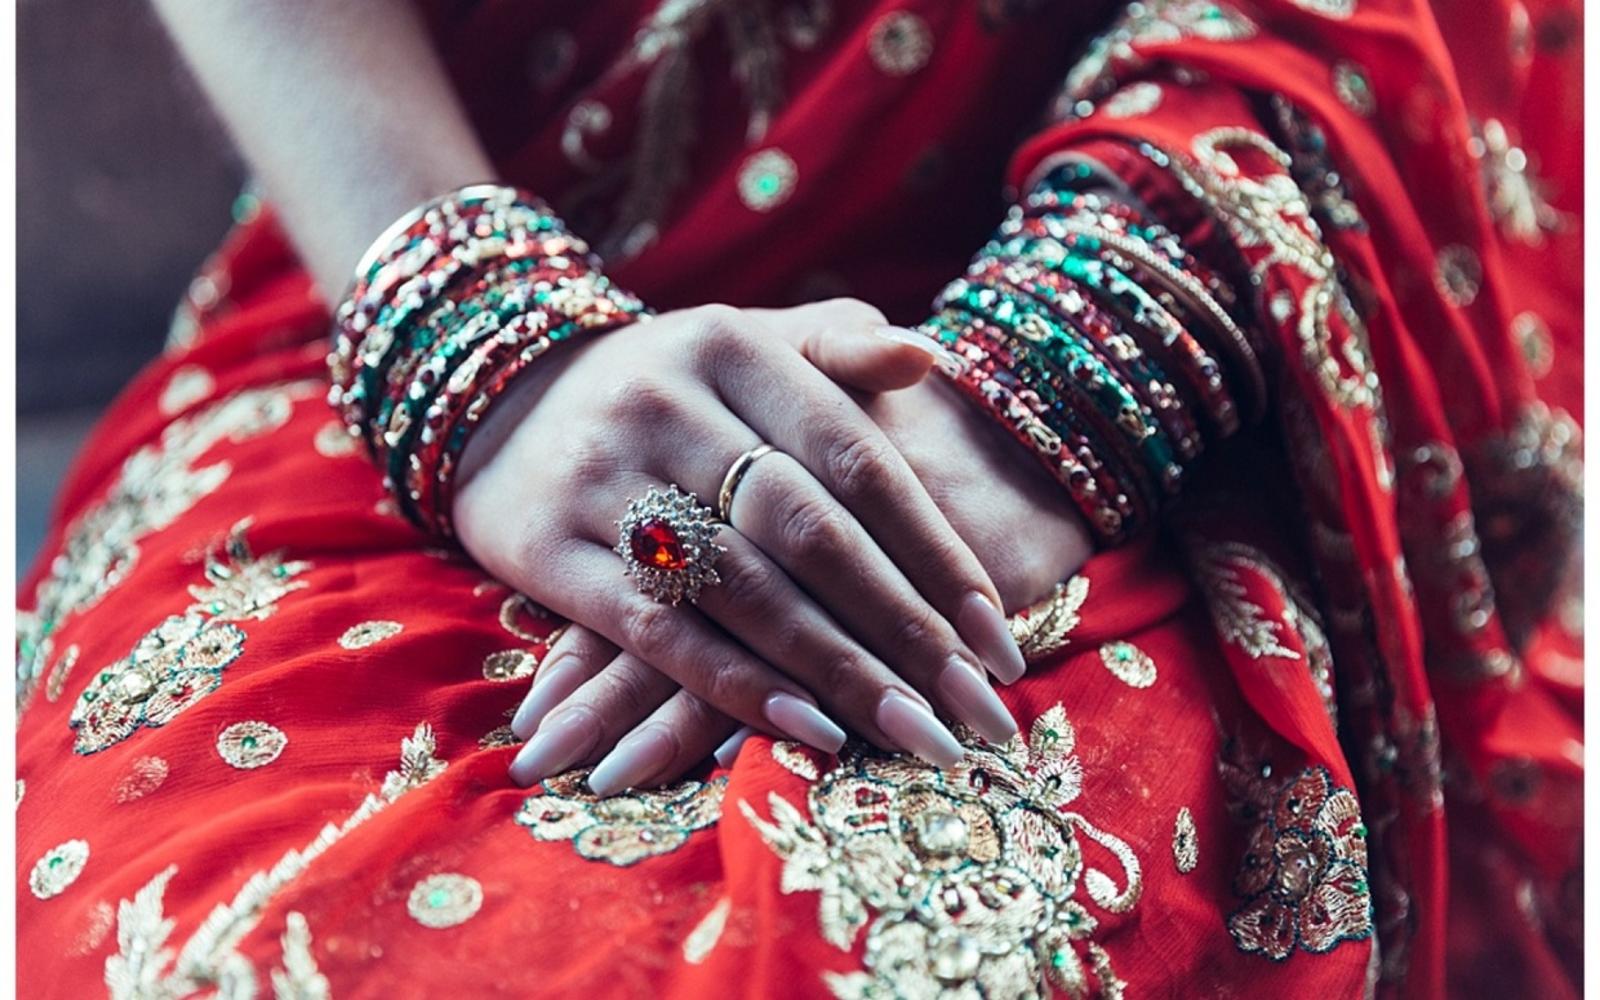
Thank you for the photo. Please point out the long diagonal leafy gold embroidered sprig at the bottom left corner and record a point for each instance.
(145, 967)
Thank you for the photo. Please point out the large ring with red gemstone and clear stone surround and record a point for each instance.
(668, 545)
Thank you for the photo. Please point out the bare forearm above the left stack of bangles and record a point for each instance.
(342, 110)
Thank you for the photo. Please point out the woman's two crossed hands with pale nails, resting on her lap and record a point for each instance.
(868, 559)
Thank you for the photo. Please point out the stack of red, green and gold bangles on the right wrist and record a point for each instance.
(1103, 346)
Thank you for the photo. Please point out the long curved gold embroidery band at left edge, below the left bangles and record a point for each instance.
(158, 486)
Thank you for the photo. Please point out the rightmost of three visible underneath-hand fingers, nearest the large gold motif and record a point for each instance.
(676, 738)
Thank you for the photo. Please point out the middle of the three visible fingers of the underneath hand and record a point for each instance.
(593, 719)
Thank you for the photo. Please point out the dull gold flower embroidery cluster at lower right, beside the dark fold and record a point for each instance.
(1303, 876)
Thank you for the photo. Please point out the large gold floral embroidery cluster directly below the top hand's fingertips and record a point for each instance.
(967, 881)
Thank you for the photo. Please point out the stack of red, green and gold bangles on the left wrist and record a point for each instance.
(447, 308)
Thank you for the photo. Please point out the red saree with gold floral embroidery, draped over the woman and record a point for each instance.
(1318, 738)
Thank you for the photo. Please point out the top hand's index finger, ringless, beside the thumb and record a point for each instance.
(825, 431)
